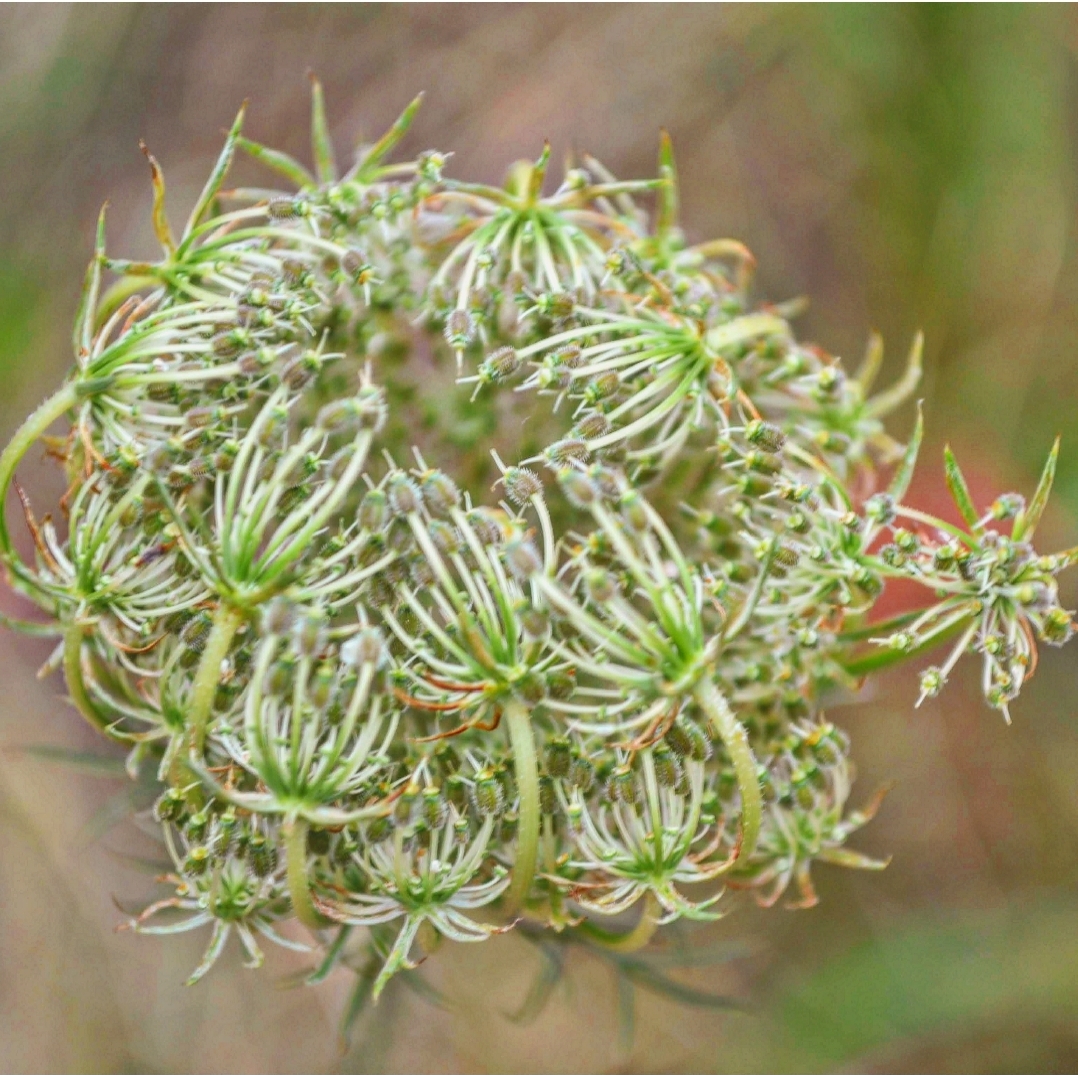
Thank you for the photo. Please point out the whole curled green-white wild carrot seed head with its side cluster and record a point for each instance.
(390, 680)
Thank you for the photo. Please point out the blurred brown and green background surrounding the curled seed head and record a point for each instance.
(903, 167)
